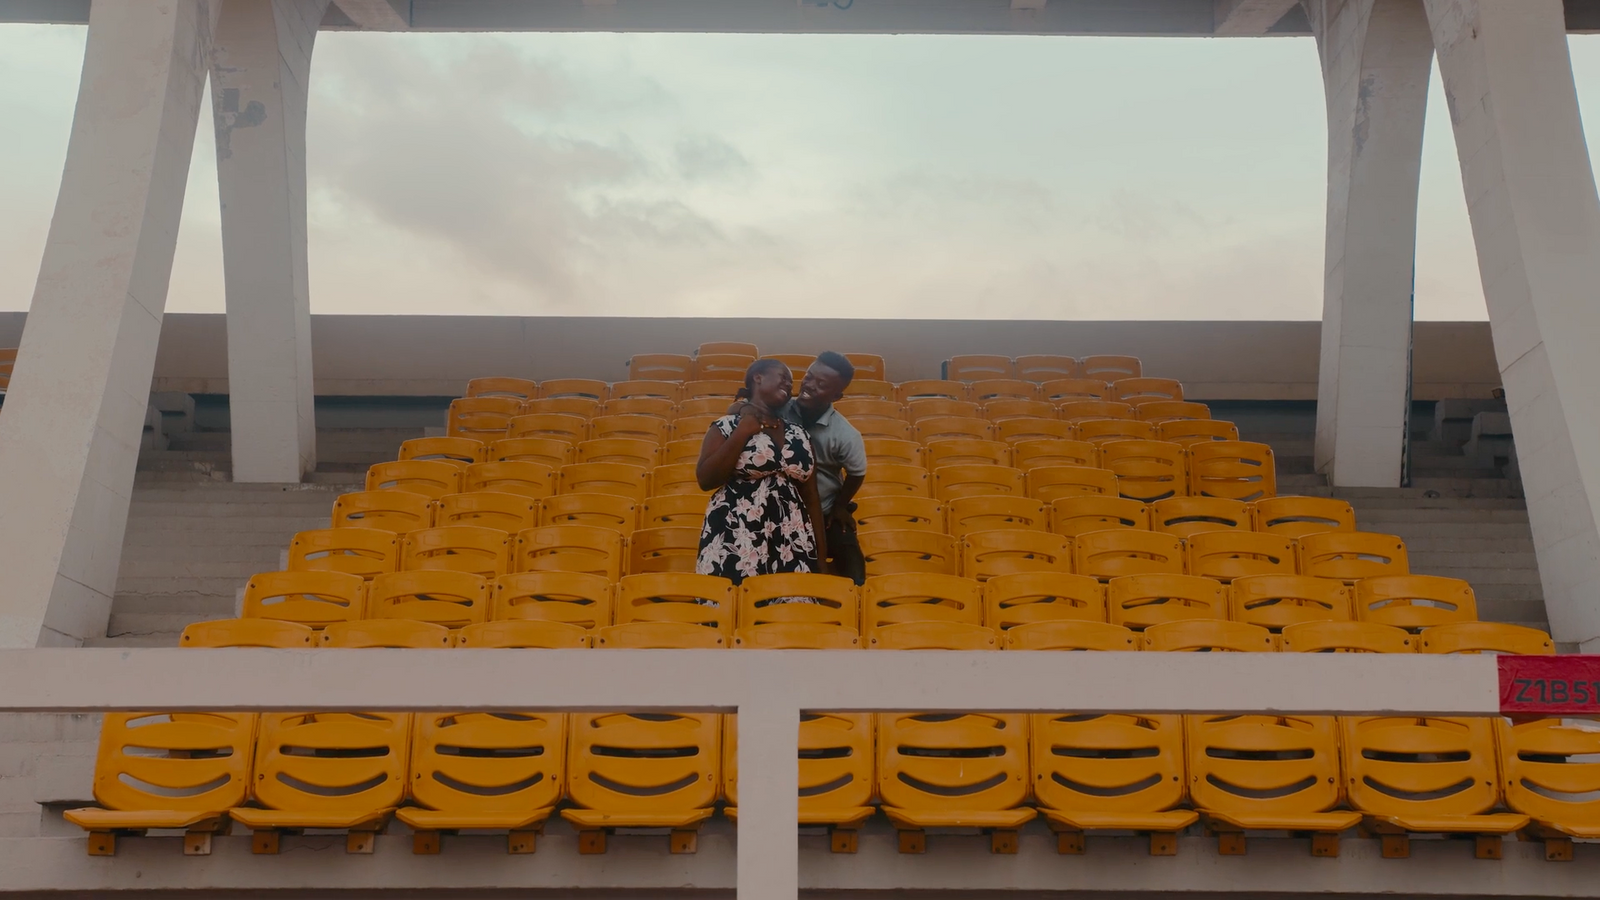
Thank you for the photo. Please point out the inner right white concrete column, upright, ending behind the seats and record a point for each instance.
(1377, 58)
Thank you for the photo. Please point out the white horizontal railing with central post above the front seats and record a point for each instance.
(769, 689)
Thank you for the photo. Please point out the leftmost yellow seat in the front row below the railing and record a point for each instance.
(169, 771)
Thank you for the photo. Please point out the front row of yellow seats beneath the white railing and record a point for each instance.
(1113, 773)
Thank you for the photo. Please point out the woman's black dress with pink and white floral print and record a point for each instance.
(758, 524)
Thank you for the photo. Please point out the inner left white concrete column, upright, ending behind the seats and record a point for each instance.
(258, 94)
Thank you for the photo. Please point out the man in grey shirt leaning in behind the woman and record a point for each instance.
(841, 457)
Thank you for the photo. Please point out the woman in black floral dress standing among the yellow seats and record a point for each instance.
(766, 515)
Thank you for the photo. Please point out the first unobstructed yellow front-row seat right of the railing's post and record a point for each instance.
(954, 771)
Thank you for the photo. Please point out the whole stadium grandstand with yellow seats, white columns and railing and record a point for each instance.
(337, 606)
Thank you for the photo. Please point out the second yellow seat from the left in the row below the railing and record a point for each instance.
(340, 771)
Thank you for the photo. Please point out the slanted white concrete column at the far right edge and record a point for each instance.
(1537, 223)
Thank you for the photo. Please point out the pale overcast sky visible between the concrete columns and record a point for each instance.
(786, 175)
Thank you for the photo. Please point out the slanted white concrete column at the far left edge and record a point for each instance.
(70, 438)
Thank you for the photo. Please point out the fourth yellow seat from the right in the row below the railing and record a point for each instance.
(1111, 774)
